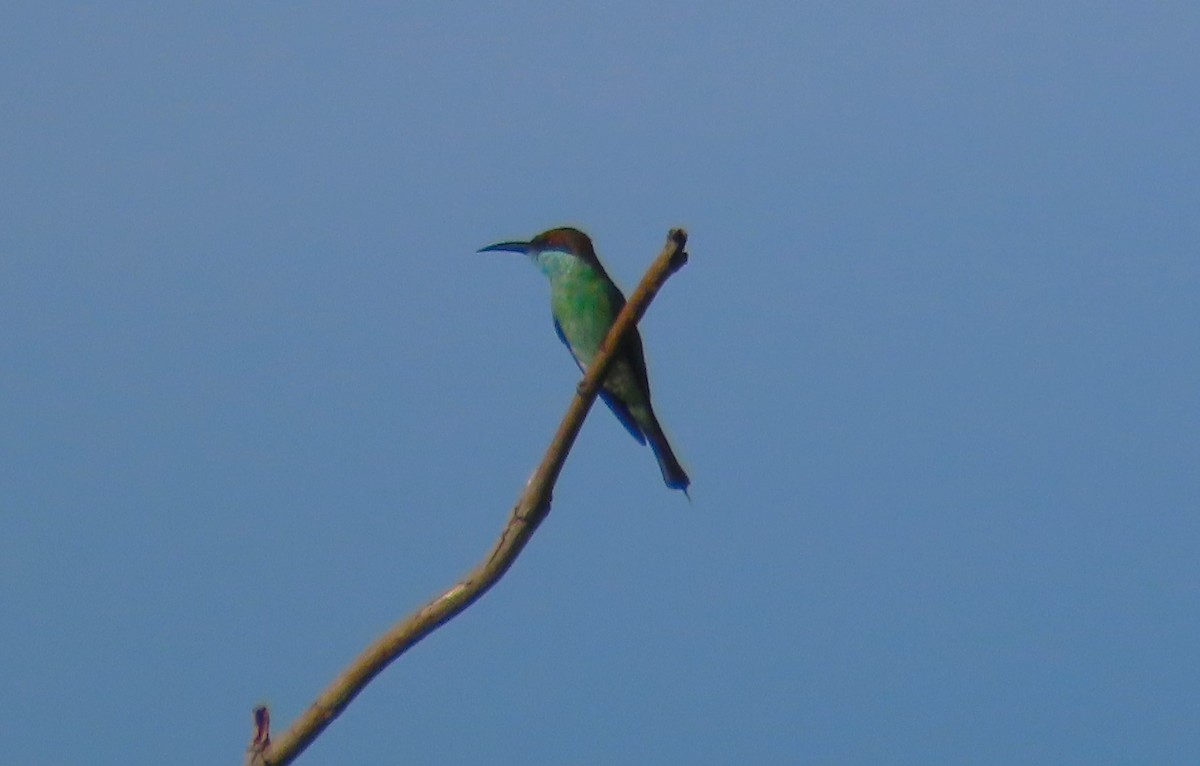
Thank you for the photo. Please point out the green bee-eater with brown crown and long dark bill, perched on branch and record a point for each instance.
(585, 303)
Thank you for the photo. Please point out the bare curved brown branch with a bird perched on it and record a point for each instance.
(530, 512)
